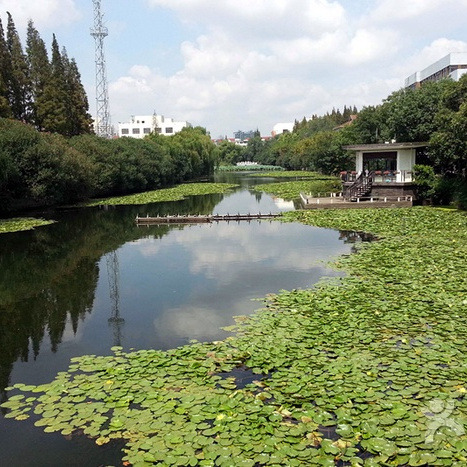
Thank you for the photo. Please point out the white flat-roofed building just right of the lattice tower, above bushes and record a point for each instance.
(142, 125)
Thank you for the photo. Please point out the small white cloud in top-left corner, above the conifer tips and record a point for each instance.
(44, 13)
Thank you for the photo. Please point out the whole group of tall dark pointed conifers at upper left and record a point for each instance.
(48, 95)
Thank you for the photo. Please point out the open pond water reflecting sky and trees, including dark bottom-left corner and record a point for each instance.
(95, 279)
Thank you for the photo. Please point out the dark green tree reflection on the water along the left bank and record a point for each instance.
(48, 276)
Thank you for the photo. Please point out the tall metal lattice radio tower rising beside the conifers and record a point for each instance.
(99, 32)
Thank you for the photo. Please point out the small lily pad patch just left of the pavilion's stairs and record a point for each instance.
(292, 190)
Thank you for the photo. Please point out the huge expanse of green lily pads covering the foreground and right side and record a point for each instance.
(367, 372)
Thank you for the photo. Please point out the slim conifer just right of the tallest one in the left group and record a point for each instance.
(40, 72)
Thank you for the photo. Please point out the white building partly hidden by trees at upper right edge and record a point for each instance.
(452, 66)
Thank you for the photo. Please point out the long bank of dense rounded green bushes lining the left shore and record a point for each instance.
(45, 169)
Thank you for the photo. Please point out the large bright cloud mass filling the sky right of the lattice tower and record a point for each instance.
(253, 64)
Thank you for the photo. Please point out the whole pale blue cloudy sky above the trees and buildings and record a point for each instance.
(230, 65)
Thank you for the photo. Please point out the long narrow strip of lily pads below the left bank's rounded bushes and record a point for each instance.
(167, 194)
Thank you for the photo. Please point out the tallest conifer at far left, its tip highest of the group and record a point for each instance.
(18, 82)
